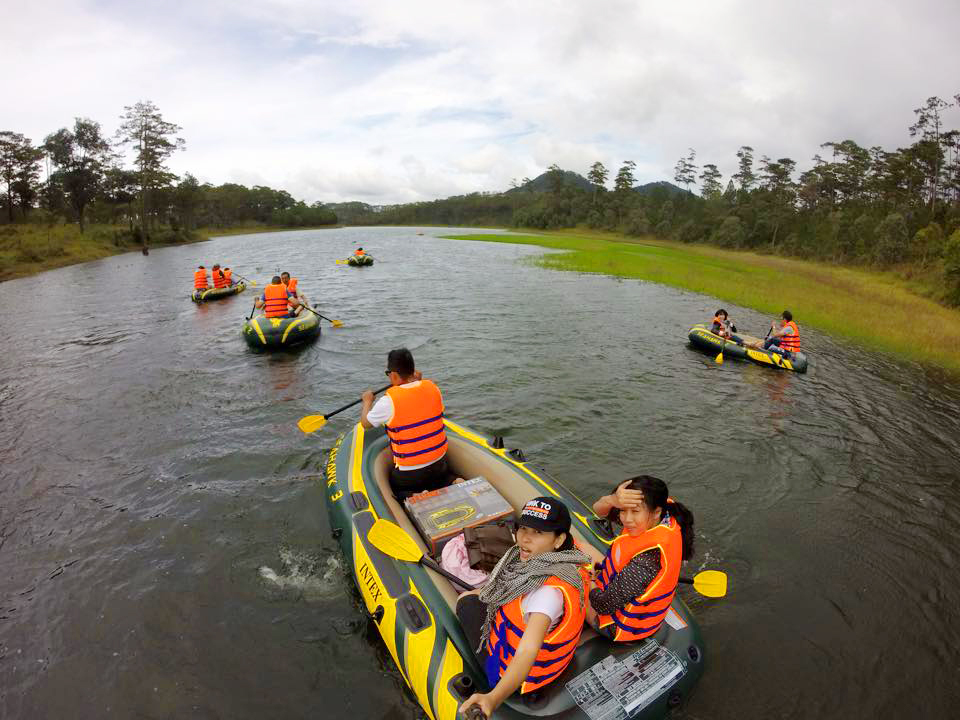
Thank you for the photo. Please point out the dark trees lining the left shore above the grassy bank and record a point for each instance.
(80, 174)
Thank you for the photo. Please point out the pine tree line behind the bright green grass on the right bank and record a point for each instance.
(892, 209)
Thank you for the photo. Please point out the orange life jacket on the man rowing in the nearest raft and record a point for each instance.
(417, 435)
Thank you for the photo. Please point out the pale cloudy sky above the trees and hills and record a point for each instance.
(389, 101)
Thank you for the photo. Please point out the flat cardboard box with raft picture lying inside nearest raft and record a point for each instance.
(442, 514)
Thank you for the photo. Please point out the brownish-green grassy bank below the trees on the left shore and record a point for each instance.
(30, 249)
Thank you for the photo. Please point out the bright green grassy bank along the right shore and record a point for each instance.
(876, 310)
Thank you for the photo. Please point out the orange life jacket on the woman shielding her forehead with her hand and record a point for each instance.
(642, 616)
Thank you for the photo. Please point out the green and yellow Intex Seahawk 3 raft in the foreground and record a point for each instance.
(414, 607)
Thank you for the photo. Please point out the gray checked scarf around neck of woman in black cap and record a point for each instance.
(511, 578)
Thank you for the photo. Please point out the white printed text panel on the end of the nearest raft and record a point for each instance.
(615, 689)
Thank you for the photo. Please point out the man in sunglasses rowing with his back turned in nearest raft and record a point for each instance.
(412, 411)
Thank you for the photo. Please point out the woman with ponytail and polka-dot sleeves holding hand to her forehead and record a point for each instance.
(636, 582)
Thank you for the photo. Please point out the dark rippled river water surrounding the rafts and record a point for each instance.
(163, 537)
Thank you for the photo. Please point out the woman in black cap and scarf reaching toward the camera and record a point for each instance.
(526, 621)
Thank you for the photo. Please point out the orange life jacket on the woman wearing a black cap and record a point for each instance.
(556, 652)
